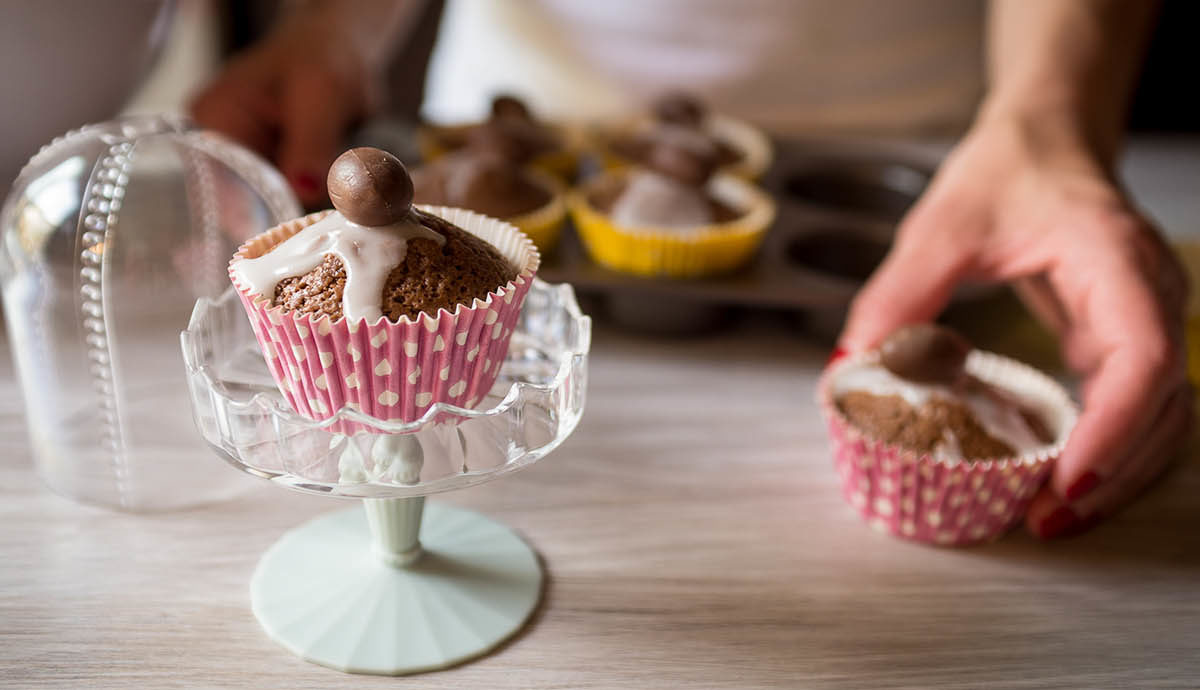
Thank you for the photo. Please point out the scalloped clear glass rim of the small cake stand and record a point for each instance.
(277, 407)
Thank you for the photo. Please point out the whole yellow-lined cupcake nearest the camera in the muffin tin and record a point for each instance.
(673, 217)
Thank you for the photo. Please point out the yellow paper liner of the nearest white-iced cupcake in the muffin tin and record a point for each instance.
(674, 253)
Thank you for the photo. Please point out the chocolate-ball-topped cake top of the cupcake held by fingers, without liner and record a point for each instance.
(920, 397)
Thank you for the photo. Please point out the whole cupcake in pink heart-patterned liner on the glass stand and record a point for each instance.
(380, 305)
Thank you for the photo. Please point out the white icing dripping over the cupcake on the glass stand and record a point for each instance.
(369, 255)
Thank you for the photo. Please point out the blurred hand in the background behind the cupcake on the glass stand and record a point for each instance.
(295, 97)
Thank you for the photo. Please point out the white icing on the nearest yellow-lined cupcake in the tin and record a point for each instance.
(655, 200)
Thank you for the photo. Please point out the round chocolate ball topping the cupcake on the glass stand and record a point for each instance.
(370, 188)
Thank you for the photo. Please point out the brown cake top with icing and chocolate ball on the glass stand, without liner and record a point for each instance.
(376, 256)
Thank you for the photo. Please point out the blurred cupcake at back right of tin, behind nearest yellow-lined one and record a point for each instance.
(742, 149)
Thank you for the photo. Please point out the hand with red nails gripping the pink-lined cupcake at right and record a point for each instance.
(1018, 202)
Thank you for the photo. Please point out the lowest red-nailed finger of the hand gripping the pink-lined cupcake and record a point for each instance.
(1051, 517)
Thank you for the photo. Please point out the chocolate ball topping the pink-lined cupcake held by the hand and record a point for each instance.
(926, 353)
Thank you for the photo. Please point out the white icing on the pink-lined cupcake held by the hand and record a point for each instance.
(1000, 417)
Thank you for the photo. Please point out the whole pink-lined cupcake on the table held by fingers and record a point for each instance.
(941, 443)
